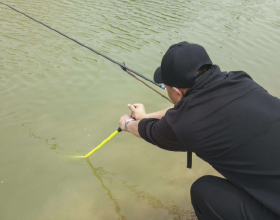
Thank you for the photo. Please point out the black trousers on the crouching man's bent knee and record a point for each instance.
(214, 198)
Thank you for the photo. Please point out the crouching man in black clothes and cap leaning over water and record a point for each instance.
(226, 119)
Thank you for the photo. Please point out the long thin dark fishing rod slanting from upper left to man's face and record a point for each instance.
(123, 66)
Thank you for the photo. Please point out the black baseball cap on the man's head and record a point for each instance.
(180, 64)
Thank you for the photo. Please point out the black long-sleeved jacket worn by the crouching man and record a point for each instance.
(232, 123)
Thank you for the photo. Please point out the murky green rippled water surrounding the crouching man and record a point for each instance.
(59, 99)
